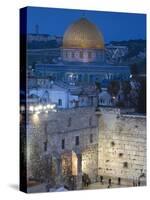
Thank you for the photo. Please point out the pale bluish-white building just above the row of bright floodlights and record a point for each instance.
(44, 91)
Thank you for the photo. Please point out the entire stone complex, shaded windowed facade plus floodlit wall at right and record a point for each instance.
(65, 145)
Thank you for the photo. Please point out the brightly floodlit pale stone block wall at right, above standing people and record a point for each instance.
(122, 145)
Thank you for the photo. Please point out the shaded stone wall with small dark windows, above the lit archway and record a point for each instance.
(51, 129)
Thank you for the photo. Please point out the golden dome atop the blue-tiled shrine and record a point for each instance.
(83, 34)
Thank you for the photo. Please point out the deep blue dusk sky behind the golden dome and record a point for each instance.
(114, 26)
